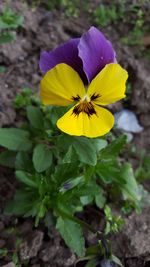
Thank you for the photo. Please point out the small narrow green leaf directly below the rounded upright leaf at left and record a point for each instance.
(26, 178)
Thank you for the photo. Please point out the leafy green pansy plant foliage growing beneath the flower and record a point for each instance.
(60, 175)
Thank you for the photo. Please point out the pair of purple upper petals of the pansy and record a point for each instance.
(87, 55)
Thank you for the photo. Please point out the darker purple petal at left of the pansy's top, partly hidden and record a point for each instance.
(66, 53)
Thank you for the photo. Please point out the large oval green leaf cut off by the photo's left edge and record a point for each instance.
(15, 139)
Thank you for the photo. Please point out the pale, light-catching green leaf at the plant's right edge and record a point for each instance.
(130, 189)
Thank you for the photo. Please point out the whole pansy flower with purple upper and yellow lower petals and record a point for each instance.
(83, 72)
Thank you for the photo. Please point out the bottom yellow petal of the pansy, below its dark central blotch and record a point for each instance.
(91, 126)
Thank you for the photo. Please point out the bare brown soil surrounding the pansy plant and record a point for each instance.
(43, 30)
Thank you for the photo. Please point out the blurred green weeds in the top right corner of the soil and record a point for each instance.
(134, 13)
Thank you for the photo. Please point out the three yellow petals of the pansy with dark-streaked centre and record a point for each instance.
(62, 86)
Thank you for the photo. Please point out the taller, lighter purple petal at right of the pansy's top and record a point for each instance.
(95, 51)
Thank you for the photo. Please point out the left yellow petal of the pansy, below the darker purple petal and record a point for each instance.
(60, 85)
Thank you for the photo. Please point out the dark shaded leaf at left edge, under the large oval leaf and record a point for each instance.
(7, 158)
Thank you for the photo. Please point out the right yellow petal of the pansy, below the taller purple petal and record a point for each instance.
(109, 85)
